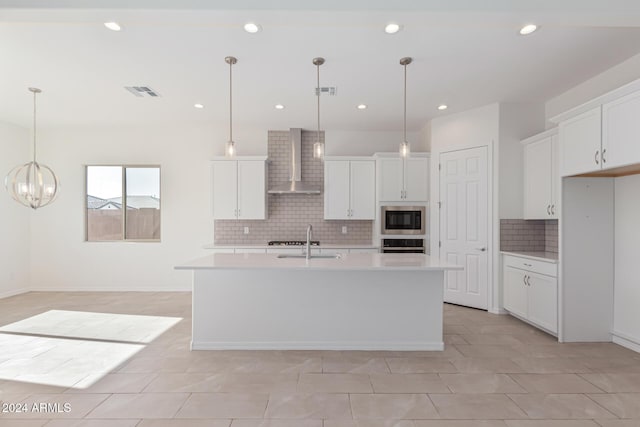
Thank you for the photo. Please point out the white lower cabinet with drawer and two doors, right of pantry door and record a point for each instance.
(531, 291)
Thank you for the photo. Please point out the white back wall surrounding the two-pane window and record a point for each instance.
(60, 257)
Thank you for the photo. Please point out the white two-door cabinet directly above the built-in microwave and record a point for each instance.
(403, 180)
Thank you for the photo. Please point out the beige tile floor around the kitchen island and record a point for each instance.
(119, 369)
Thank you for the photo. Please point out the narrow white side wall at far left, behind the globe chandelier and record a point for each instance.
(14, 218)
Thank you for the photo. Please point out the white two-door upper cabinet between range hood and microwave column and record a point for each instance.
(349, 189)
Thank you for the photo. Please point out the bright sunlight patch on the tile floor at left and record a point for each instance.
(65, 348)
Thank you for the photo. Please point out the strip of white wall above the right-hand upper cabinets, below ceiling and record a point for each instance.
(614, 77)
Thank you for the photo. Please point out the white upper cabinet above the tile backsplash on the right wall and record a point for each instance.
(541, 176)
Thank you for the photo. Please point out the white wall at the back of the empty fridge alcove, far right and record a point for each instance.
(626, 322)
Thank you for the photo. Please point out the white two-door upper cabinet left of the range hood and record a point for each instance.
(239, 189)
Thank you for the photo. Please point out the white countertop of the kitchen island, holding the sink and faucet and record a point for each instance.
(362, 262)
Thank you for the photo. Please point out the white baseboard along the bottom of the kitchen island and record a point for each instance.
(318, 345)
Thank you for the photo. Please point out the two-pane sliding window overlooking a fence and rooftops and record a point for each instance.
(123, 203)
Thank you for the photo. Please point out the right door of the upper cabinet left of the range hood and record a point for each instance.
(251, 189)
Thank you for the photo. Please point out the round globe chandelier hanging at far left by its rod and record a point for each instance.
(33, 184)
